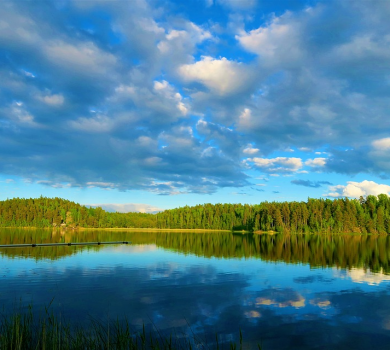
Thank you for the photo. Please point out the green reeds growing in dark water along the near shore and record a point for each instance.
(23, 331)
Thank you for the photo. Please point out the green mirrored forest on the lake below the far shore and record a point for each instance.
(343, 251)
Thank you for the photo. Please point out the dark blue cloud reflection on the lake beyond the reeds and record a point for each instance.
(208, 300)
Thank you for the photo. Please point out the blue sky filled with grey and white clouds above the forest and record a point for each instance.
(146, 105)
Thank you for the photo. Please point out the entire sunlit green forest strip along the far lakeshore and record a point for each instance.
(342, 215)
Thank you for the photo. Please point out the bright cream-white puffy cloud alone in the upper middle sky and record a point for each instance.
(219, 75)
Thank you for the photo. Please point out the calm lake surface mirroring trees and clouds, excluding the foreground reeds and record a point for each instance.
(289, 292)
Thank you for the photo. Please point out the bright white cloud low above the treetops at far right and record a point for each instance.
(357, 189)
